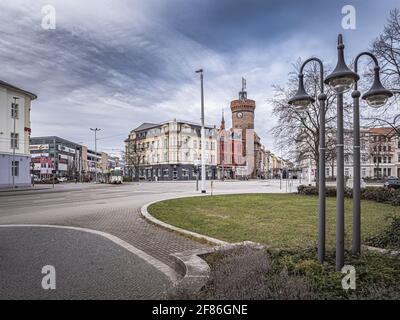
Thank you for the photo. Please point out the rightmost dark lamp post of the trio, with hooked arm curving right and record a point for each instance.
(376, 97)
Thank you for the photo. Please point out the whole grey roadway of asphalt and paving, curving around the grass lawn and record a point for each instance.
(112, 209)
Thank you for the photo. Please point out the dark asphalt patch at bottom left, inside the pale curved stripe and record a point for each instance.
(87, 266)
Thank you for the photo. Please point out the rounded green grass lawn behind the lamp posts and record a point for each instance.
(281, 220)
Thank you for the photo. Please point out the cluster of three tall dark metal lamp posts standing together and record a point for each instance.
(340, 80)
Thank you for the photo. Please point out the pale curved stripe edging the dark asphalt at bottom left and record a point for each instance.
(168, 271)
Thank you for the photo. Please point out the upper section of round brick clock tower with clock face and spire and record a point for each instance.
(243, 110)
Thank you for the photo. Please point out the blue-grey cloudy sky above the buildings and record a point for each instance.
(116, 64)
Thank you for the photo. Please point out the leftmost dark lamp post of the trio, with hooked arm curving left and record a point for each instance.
(301, 101)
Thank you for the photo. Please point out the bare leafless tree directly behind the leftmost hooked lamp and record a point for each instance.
(297, 133)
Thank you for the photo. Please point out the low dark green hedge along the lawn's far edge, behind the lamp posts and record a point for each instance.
(378, 194)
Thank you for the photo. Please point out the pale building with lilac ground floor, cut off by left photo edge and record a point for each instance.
(15, 129)
